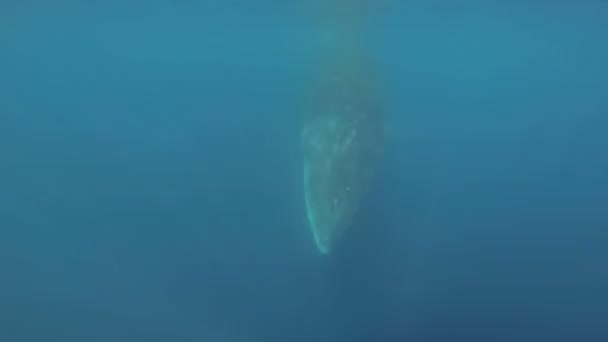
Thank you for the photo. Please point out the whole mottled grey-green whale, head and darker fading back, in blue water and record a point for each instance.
(342, 141)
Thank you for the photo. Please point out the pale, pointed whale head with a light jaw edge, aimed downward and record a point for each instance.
(340, 153)
